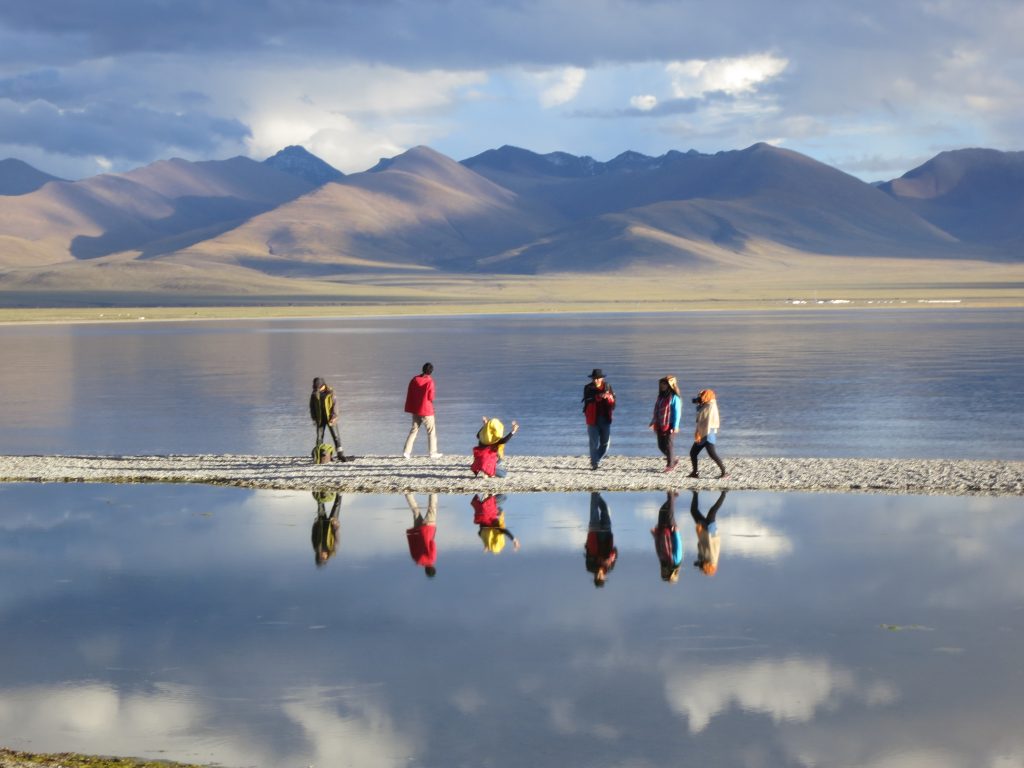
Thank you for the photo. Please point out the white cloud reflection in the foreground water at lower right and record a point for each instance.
(789, 691)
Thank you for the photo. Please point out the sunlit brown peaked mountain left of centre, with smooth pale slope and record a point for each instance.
(420, 210)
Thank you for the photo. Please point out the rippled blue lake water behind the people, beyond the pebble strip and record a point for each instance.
(902, 383)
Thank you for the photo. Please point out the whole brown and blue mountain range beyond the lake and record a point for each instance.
(292, 222)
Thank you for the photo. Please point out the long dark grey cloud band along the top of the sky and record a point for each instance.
(467, 33)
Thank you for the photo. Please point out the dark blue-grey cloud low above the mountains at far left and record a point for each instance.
(115, 132)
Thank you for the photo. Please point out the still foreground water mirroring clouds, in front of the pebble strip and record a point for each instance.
(192, 623)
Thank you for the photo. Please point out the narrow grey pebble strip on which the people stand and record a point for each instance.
(450, 475)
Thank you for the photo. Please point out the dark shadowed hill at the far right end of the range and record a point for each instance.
(977, 196)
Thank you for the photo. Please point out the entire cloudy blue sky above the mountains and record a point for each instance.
(872, 88)
